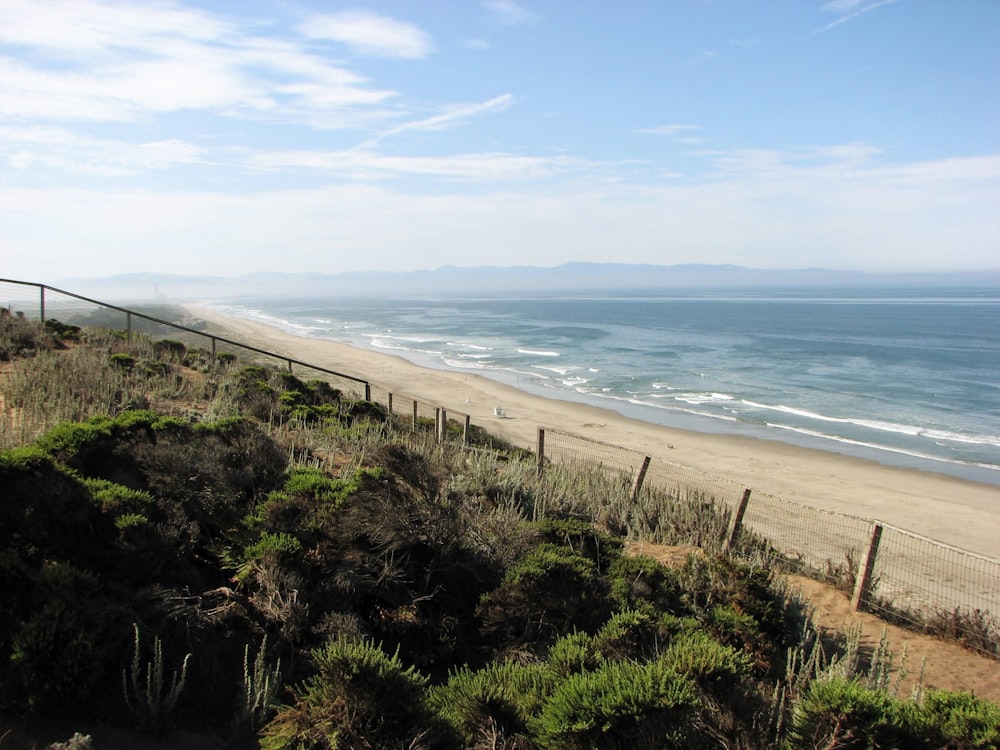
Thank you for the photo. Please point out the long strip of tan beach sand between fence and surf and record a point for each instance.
(943, 508)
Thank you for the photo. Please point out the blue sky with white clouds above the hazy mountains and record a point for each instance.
(226, 138)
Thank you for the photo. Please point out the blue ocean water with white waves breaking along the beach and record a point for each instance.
(908, 377)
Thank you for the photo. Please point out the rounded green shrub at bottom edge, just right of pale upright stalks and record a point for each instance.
(358, 697)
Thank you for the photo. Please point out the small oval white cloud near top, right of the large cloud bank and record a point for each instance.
(370, 34)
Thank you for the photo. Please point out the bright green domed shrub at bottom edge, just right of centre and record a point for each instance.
(620, 705)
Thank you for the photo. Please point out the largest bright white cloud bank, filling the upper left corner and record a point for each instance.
(131, 61)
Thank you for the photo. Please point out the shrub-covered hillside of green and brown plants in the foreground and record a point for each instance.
(239, 552)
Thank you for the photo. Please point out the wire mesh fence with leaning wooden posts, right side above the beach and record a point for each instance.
(912, 580)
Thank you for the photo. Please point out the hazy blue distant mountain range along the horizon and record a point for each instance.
(497, 280)
